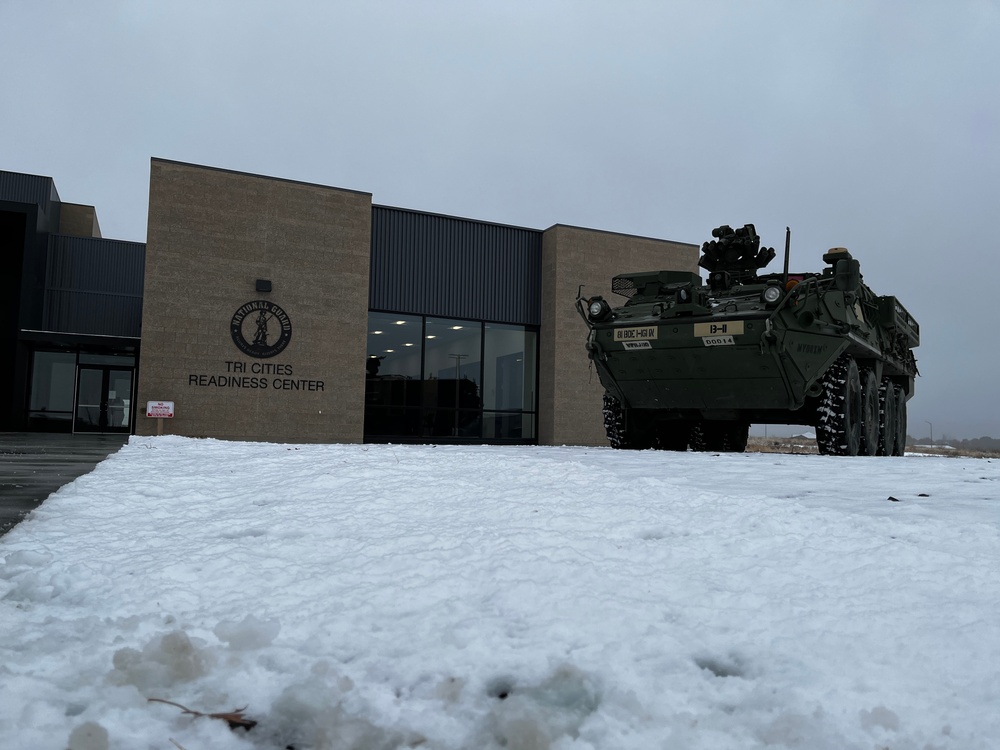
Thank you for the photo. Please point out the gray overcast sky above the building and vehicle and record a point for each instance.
(871, 125)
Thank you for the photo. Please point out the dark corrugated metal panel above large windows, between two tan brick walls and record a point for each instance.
(425, 264)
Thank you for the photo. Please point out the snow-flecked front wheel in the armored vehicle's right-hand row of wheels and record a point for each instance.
(839, 414)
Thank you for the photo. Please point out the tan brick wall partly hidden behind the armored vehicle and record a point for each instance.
(570, 394)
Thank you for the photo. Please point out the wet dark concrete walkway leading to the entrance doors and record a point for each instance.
(33, 465)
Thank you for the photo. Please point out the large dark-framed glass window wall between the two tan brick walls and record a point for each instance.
(444, 380)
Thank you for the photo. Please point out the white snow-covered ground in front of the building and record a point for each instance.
(384, 597)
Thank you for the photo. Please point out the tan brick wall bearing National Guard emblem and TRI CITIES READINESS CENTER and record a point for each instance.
(211, 234)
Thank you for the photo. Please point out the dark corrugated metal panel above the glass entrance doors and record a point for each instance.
(94, 286)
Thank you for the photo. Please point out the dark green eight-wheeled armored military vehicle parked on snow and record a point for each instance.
(692, 363)
